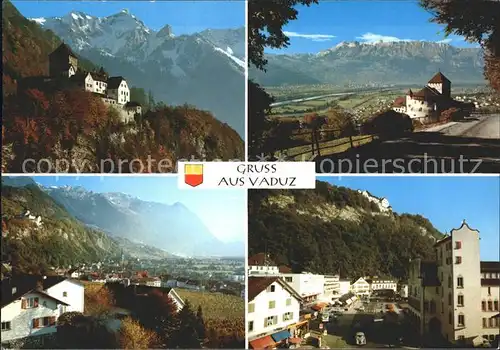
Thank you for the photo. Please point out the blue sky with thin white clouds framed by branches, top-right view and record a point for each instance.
(322, 26)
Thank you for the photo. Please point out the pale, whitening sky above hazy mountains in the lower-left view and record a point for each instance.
(223, 212)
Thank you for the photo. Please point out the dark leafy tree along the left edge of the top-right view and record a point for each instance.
(266, 19)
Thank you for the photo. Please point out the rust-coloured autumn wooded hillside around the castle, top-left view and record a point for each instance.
(76, 125)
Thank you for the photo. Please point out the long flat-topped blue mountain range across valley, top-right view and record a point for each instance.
(403, 62)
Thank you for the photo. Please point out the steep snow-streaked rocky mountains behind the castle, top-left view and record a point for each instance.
(205, 69)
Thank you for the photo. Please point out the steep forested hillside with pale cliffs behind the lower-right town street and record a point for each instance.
(335, 230)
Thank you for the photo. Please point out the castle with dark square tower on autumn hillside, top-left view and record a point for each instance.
(64, 73)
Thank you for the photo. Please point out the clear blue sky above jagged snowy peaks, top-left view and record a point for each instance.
(185, 17)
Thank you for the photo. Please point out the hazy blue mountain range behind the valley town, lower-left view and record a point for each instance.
(170, 228)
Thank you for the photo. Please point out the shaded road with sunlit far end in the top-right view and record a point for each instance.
(472, 145)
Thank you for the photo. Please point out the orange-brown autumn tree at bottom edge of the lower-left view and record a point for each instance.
(133, 336)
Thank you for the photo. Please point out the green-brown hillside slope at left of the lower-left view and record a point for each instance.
(60, 240)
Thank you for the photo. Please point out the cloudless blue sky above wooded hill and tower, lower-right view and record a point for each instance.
(445, 201)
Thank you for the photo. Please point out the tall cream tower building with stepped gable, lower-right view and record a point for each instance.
(448, 296)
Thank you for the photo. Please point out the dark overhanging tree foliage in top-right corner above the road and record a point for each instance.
(478, 21)
